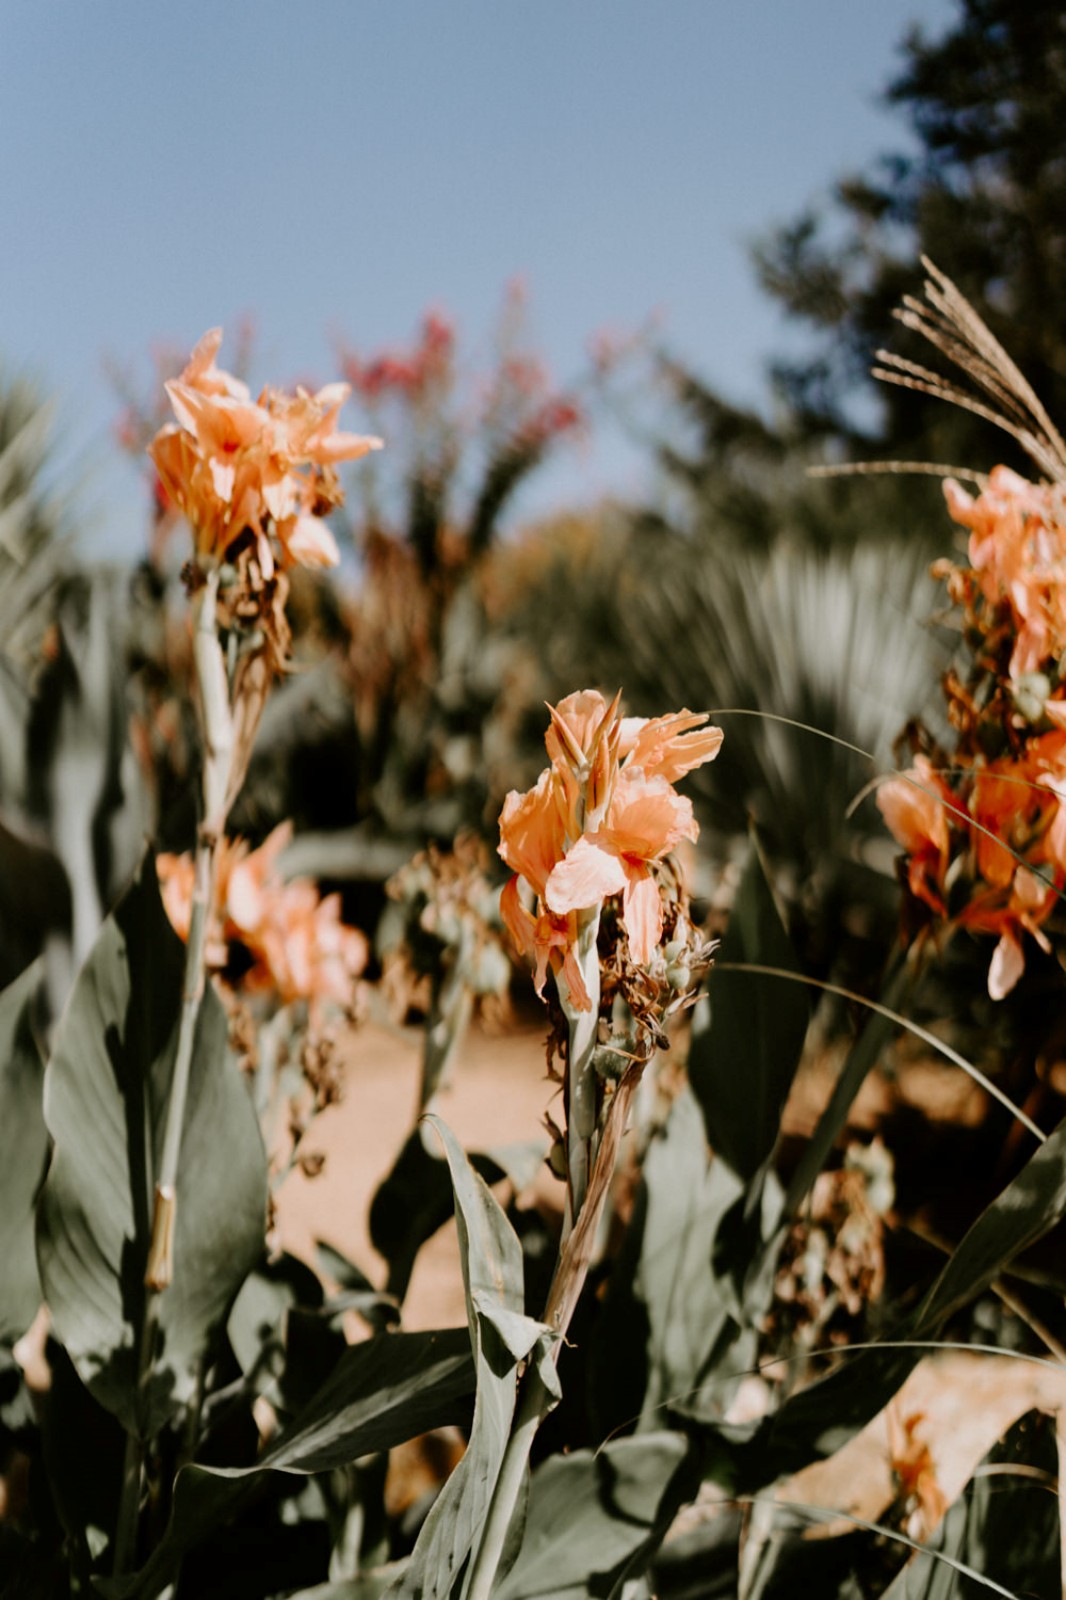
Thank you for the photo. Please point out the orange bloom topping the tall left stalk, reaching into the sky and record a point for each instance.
(268, 466)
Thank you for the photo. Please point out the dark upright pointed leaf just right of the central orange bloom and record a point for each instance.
(748, 1031)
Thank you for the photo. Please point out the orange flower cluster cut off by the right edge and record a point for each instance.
(985, 826)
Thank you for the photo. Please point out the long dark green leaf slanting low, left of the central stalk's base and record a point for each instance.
(380, 1394)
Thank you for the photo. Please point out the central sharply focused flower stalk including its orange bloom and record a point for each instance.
(596, 828)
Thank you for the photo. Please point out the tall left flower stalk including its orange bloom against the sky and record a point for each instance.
(254, 479)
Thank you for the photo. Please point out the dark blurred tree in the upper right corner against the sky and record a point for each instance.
(979, 191)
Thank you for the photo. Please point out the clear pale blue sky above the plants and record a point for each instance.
(340, 166)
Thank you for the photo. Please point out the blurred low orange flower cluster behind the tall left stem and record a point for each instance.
(292, 943)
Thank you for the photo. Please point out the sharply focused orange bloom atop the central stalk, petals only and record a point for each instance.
(596, 825)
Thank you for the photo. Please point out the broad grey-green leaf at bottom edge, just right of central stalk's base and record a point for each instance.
(596, 1516)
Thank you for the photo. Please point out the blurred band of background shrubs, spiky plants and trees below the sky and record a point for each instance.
(745, 583)
